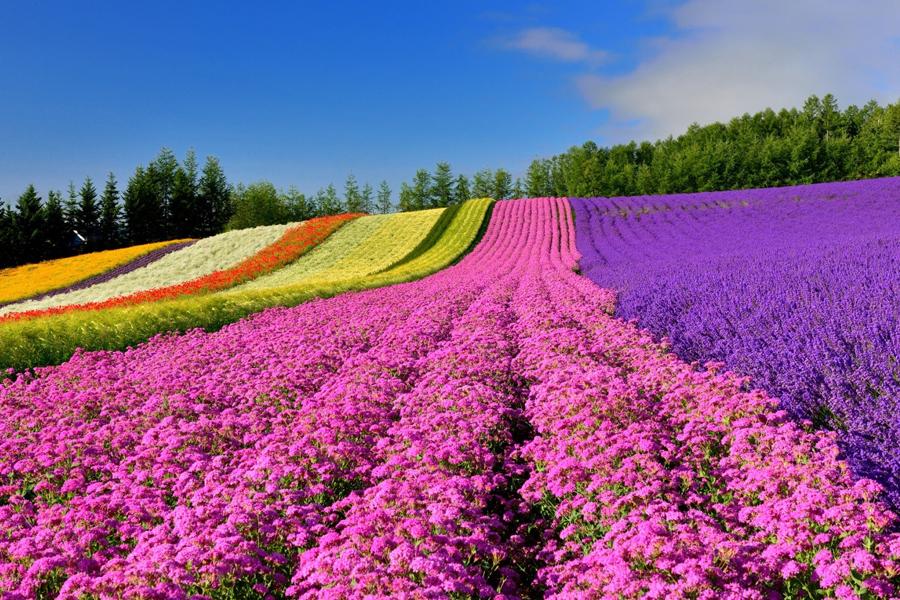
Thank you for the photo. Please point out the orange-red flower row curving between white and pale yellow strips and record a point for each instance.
(295, 242)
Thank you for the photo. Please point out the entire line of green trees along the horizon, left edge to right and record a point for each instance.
(168, 200)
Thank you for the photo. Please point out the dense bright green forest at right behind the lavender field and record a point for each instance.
(816, 143)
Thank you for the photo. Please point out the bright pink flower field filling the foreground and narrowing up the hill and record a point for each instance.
(490, 430)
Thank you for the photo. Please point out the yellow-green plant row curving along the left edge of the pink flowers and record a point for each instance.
(52, 340)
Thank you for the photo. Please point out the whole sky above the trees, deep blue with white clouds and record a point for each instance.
(304, 93)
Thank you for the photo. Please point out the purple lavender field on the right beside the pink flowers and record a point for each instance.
(796, 287)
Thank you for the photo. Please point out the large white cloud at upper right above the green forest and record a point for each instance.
(734, 56)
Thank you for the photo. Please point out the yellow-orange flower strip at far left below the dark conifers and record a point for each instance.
(27, 281)
